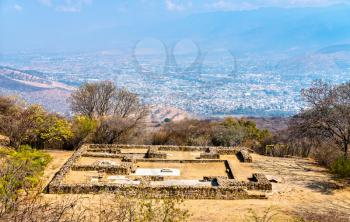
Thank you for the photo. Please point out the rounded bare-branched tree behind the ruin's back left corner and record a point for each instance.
(118, 111)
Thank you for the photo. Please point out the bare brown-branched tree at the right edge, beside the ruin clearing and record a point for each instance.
(327, 117)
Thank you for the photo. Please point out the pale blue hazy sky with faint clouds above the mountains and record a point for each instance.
(60, 25)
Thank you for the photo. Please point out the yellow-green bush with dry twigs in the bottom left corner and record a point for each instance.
(20, 194)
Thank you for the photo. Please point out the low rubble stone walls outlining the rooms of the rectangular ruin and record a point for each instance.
(222, 187)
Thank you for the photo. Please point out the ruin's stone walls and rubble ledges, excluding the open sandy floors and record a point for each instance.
(214, 187)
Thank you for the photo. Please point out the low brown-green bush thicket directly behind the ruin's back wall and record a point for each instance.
(227, 132)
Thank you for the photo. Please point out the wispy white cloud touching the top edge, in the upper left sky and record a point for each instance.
(66, 5)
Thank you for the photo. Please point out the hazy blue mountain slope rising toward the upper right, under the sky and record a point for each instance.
(260, 30)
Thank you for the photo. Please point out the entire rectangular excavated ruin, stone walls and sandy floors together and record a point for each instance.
(160, 171)
